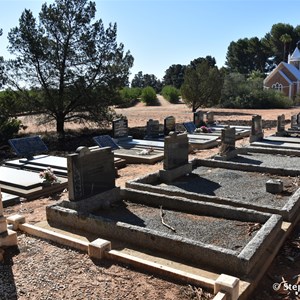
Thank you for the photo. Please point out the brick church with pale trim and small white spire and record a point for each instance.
(286, 76)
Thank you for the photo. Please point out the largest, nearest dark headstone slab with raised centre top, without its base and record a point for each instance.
(90, 172)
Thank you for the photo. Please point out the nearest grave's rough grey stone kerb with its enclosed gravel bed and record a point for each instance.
(201, 229)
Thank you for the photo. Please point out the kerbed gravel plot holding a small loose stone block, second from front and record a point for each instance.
(229, 183)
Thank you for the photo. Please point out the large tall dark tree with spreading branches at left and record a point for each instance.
(76, 66)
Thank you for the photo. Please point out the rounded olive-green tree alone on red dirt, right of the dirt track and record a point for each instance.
(202, 85)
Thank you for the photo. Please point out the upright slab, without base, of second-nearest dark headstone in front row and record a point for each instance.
(176, 150)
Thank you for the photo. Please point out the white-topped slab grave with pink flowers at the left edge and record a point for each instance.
(27, 184)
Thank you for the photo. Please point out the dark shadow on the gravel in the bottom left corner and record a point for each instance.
(8, 290)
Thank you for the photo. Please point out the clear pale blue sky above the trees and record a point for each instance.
(160, 33)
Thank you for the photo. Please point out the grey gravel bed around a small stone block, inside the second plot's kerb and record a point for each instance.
(245, 187)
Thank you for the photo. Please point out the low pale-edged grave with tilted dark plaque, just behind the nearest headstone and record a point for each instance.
(146, 154)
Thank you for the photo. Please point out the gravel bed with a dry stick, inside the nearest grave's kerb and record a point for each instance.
(230, 234)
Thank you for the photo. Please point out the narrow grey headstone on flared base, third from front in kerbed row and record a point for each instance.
(227, 148)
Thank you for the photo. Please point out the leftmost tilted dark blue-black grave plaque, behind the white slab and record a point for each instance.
(28, 146)
